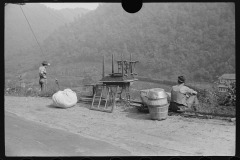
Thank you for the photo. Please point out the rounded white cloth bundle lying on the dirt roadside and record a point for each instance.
(64, 99)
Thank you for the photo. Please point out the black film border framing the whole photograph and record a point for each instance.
(2, 139)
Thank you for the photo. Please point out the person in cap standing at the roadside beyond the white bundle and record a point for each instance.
(43, 75)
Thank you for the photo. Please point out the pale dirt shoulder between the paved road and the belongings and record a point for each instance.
(131, 130)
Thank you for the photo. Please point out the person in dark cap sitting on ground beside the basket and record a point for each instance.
(182, 97)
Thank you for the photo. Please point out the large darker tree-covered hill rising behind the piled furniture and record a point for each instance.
(196, 40)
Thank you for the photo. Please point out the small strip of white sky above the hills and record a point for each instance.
(58, 6)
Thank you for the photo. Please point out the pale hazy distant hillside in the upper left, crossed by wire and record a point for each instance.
(43, 20)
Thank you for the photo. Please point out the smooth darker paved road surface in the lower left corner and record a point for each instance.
(29, 138)
